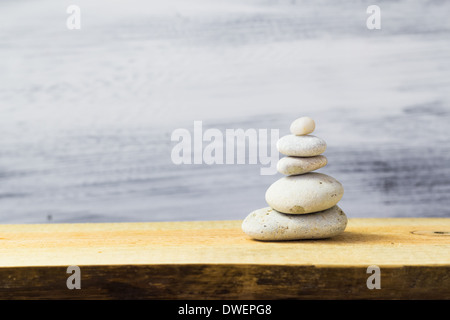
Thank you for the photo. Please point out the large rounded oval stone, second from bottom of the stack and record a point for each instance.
(309, 192)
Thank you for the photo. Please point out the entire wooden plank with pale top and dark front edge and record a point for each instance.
(215, 260)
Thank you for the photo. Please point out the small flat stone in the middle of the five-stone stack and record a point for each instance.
(296, 165)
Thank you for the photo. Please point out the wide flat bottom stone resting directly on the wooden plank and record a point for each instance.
(271, 225)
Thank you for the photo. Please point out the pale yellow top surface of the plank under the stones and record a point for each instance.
(383, 242)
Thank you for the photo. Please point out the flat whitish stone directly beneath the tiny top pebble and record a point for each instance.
(301, 146)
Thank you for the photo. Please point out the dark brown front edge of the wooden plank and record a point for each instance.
(205, 281)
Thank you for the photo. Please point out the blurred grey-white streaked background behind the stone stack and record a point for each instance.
(86, 115)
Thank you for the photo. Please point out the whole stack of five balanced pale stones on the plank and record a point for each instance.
(303, 204)
